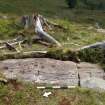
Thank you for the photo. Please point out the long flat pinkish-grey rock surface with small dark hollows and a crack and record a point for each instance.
(45, 70)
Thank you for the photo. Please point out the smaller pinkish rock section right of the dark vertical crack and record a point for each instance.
(87, 70)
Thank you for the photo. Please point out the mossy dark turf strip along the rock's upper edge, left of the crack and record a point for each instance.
(60, 54)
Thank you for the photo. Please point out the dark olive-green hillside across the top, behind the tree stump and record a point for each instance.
(55, 8)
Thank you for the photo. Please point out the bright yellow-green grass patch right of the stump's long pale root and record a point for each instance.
(77, 34)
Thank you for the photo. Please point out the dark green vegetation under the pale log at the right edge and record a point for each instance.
(95, 55)
